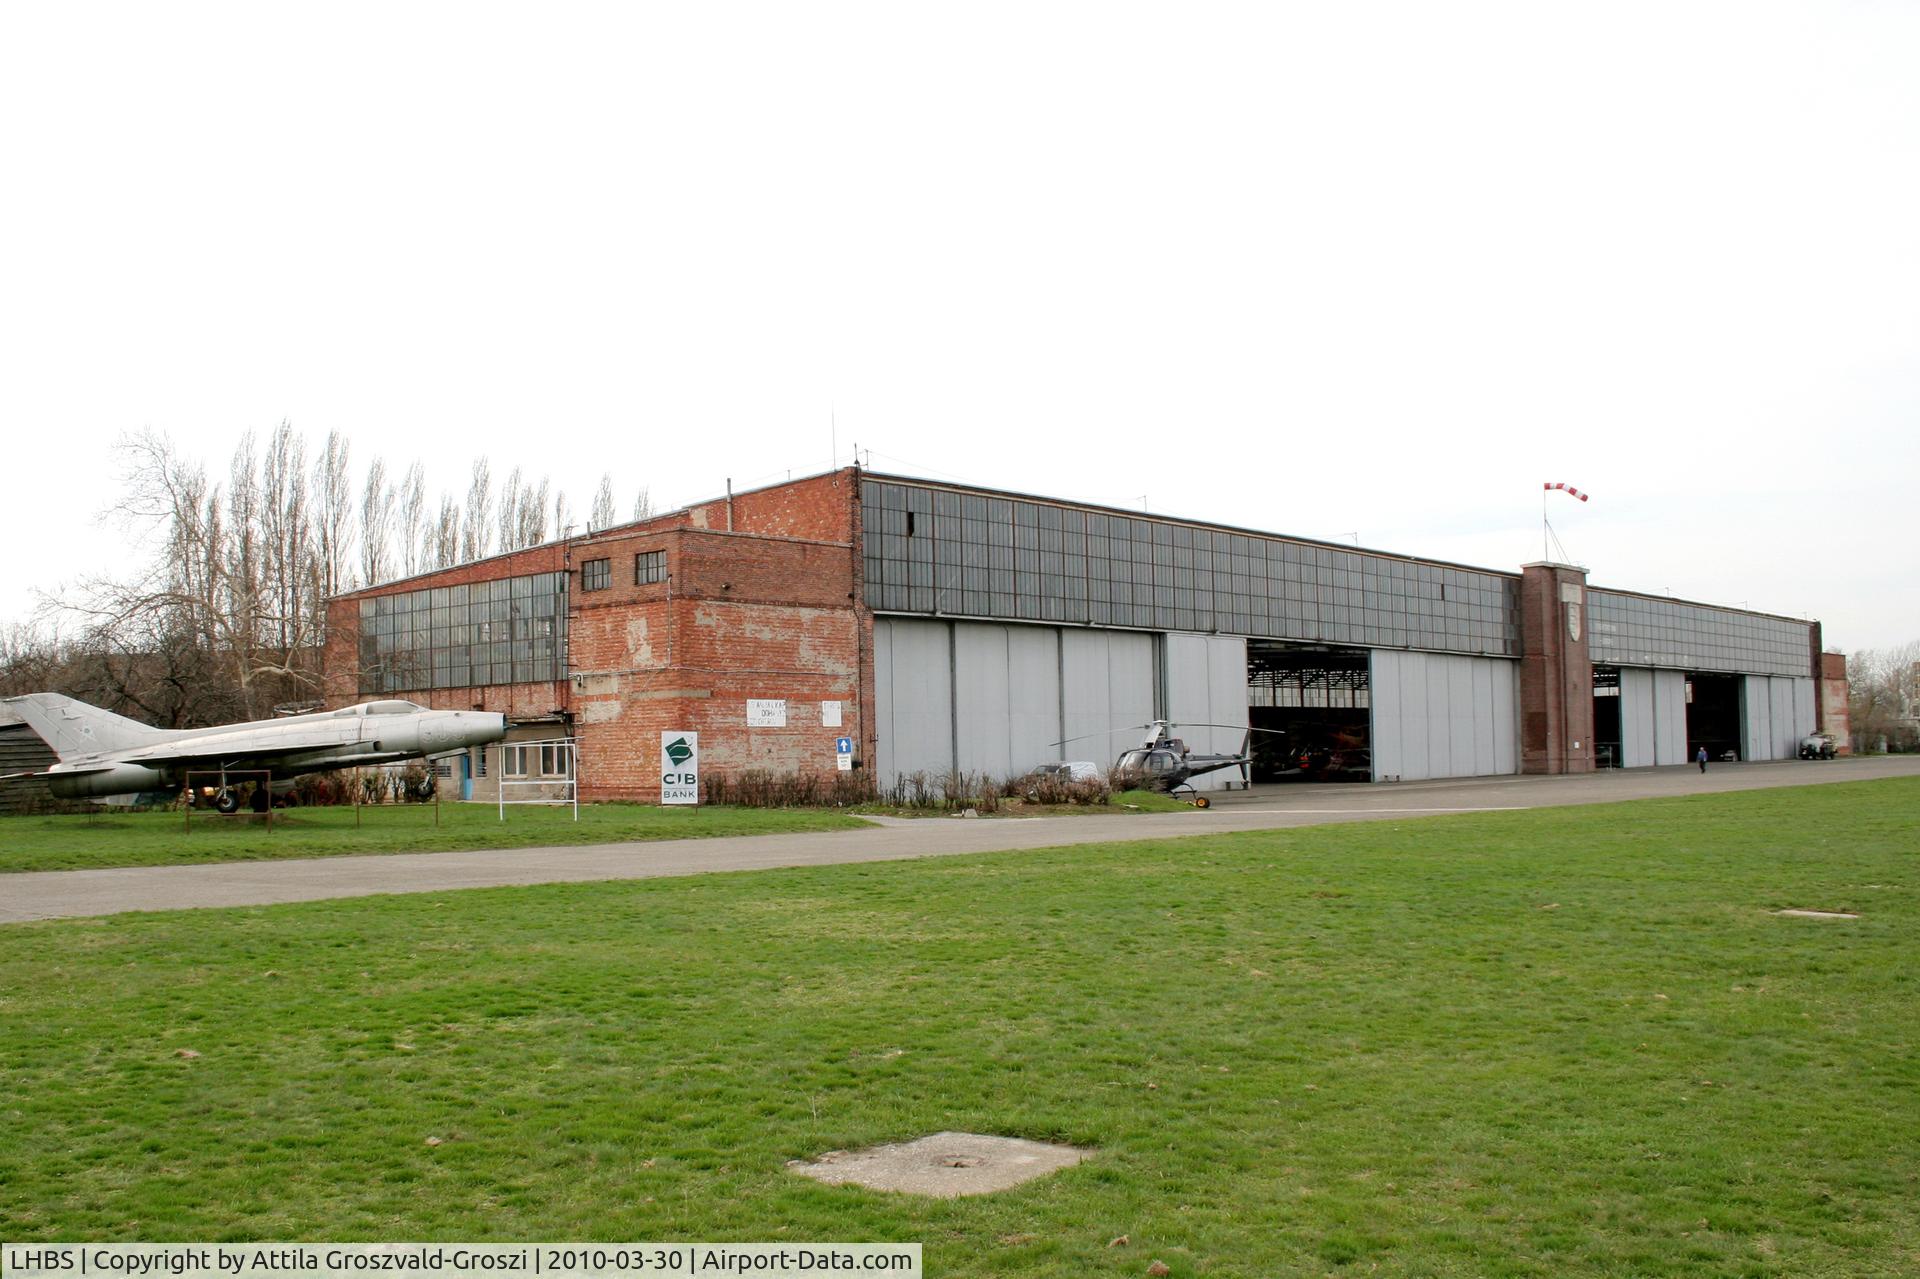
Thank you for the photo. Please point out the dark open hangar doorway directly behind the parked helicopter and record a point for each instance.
(1316, 708)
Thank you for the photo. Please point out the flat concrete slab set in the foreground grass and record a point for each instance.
(944, 1165)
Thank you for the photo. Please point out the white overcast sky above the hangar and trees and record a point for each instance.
(1353, 272)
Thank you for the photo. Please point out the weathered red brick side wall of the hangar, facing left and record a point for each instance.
(771, 610)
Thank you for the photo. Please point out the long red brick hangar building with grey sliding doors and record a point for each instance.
(951, 629)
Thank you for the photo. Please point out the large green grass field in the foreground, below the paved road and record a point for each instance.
(1572, 1042)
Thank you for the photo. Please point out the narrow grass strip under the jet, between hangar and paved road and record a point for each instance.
(85, 842)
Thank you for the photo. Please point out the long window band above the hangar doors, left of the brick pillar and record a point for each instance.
(978, 556)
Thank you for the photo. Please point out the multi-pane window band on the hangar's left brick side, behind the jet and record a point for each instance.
(512, 631)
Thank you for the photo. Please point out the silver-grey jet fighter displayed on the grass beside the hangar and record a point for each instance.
(103, 754)
